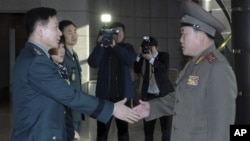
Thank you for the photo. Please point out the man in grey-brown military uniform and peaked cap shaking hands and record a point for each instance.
(203, 105)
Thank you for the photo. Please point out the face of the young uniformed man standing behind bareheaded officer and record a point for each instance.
(70, 34)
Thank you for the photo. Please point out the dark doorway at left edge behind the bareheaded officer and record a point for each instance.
(12, 39)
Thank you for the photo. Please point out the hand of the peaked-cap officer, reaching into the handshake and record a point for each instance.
(142, 109)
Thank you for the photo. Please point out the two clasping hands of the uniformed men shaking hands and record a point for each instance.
(121, 111)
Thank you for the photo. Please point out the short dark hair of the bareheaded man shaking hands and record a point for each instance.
(35, 15)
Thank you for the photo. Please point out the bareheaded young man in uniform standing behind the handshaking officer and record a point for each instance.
(71, 62)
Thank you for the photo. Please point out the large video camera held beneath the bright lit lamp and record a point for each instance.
(107, 36)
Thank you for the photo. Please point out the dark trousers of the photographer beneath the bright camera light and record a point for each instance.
(103, 130)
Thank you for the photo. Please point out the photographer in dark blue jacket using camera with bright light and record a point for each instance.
(113, 58)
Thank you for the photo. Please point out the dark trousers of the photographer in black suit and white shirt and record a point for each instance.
(149, 127)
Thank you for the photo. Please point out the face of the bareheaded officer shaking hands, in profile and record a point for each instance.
(50, 33)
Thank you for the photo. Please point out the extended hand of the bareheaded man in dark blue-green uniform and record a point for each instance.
(121, 111)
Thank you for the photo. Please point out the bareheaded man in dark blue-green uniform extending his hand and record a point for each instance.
(39, 93)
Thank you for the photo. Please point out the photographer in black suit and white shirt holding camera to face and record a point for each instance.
(153, 66)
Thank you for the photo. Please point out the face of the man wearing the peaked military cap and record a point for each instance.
(190, 41)
